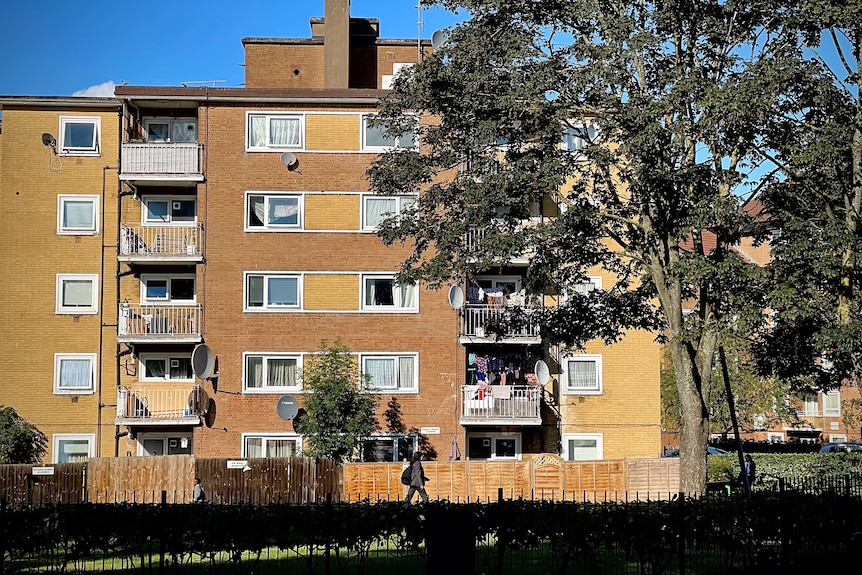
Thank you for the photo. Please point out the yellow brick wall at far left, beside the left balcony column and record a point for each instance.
(33, 253)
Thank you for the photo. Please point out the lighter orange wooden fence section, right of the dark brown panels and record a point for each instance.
(542, 476)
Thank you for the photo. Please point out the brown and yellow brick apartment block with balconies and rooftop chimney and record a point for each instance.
(239, 232)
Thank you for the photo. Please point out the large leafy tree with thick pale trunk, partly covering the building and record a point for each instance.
(665, 105)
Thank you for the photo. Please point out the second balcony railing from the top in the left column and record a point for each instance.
(161, 244)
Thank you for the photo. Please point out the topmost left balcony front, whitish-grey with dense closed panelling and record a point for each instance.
(161, 162)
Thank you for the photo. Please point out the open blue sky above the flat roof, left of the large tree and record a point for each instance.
(53, 48)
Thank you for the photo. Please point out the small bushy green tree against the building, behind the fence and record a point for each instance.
(339, 410)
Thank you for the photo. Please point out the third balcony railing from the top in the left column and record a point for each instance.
(159, 323)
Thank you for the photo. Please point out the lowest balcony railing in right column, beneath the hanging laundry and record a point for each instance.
(501, 405)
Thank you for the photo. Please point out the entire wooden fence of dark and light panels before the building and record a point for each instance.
(302, 480)
